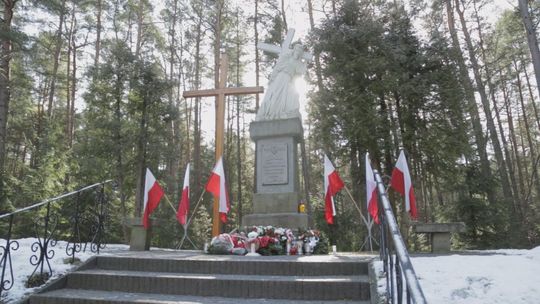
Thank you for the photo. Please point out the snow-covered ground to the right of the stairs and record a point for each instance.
(479, 277)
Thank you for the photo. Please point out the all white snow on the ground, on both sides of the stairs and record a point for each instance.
(478, 277)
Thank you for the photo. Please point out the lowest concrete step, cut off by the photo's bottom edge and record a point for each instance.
(78, 296)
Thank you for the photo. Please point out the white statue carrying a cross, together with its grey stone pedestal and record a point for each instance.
(277, 131)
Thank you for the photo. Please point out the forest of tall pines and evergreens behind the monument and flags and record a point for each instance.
(91, 90)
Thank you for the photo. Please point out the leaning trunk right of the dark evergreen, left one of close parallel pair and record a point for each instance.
(472, 107)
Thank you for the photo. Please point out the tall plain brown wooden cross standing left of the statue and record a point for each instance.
(220, 92)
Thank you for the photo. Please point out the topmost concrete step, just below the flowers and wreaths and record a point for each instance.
(325, 265)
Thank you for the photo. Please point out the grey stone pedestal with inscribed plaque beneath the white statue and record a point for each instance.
(277, 190)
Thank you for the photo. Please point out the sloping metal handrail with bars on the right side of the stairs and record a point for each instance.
(401, 280)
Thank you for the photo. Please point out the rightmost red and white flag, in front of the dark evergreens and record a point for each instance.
(402, 183)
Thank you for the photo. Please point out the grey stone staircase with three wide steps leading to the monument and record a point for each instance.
(191, 277)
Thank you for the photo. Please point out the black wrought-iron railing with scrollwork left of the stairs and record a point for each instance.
(80, 221)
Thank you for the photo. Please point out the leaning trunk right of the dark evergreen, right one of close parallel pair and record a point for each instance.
(487, 110)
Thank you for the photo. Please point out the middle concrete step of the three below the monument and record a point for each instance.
(341, 287)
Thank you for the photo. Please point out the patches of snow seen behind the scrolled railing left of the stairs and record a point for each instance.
(22, 268)
